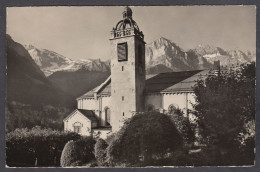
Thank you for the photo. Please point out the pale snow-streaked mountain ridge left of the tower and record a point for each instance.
(50, 62)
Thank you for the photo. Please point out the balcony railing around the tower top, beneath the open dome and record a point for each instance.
(126, 32)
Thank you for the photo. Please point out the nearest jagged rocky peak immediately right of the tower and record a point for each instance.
(165, 52)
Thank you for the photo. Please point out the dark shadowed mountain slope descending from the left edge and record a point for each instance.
(26, 83)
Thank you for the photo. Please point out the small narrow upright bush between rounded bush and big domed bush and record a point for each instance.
(100, 151)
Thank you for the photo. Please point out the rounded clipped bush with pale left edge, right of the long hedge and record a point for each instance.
(78, 152)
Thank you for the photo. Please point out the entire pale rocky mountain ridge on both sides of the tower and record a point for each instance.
(162, 55)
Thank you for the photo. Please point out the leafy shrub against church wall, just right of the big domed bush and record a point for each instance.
(183, 125)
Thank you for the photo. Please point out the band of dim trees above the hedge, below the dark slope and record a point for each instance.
(20, 115)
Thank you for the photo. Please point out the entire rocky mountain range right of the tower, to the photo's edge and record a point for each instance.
(163, 55)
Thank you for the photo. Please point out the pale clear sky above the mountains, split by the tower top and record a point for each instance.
(83, 32)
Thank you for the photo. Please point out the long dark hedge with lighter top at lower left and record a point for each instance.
(25, 146)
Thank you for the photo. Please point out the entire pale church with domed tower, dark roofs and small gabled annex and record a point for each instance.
(129, 90)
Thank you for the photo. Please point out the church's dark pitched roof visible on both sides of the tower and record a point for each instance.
(157, 83)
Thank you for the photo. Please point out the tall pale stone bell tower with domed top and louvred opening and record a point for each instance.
(127, 70)
